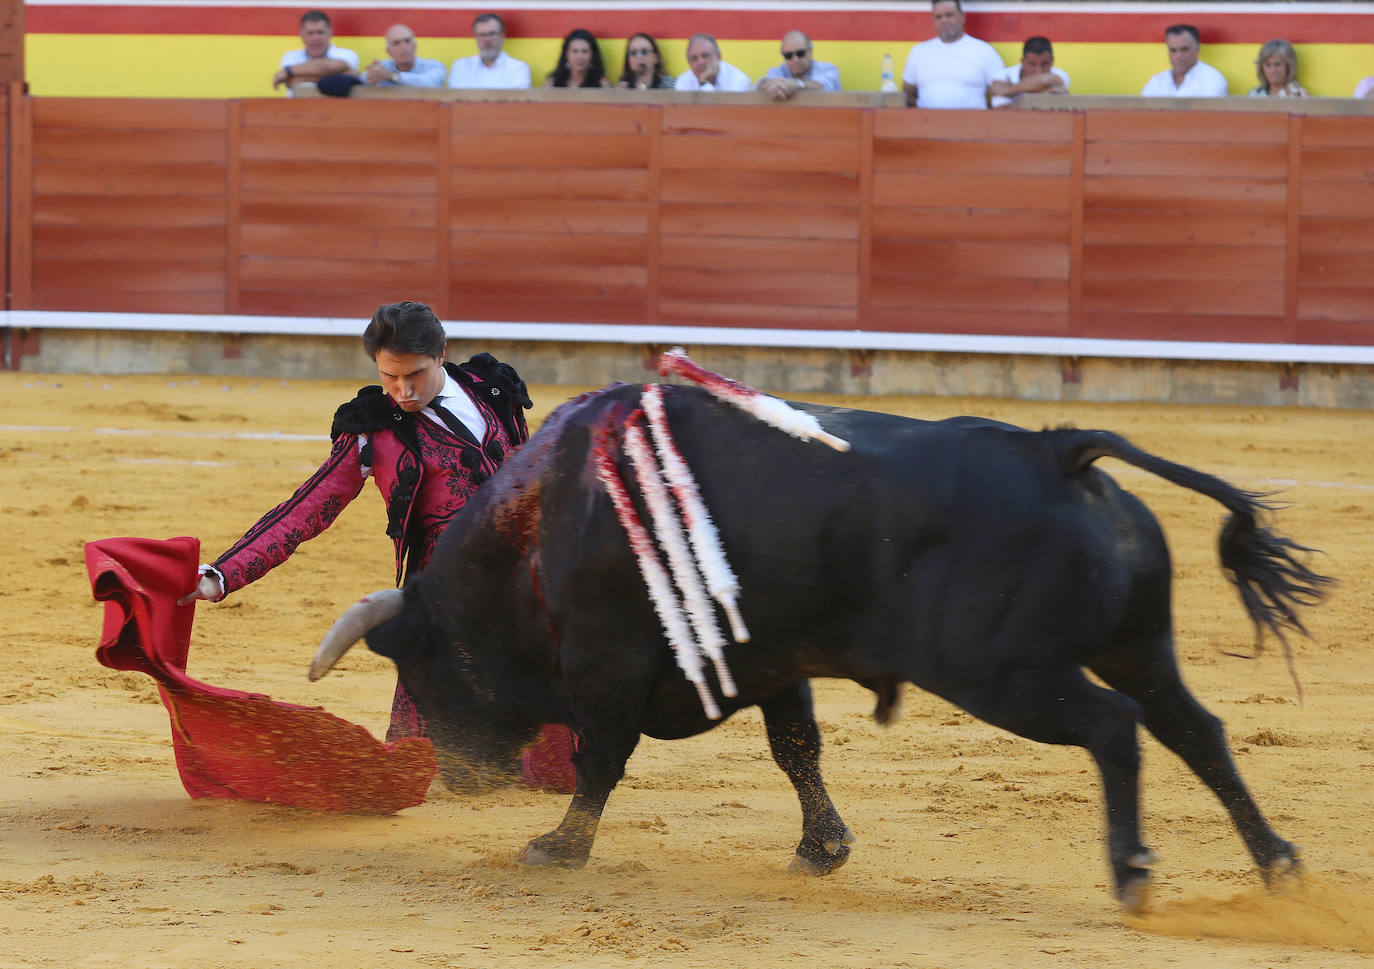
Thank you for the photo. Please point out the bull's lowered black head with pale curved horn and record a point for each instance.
(477, 746)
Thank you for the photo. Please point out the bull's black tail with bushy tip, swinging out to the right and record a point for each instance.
(1266, 568)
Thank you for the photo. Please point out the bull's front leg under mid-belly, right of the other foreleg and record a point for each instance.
(796, 747)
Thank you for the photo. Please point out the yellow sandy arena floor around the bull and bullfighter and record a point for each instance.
(976, 849)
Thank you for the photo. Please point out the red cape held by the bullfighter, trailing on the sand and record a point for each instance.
(232, 744)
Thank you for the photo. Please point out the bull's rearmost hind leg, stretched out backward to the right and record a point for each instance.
(1192, 732)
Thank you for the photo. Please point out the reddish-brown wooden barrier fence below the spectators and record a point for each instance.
(1141, 225)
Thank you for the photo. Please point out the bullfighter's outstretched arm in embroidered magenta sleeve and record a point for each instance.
(299, 519)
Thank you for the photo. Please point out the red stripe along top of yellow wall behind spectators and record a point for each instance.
(1064, 27)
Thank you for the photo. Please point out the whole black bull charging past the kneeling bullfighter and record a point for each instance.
(980, 561)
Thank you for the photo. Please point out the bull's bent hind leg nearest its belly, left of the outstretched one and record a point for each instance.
(1064, 707)
